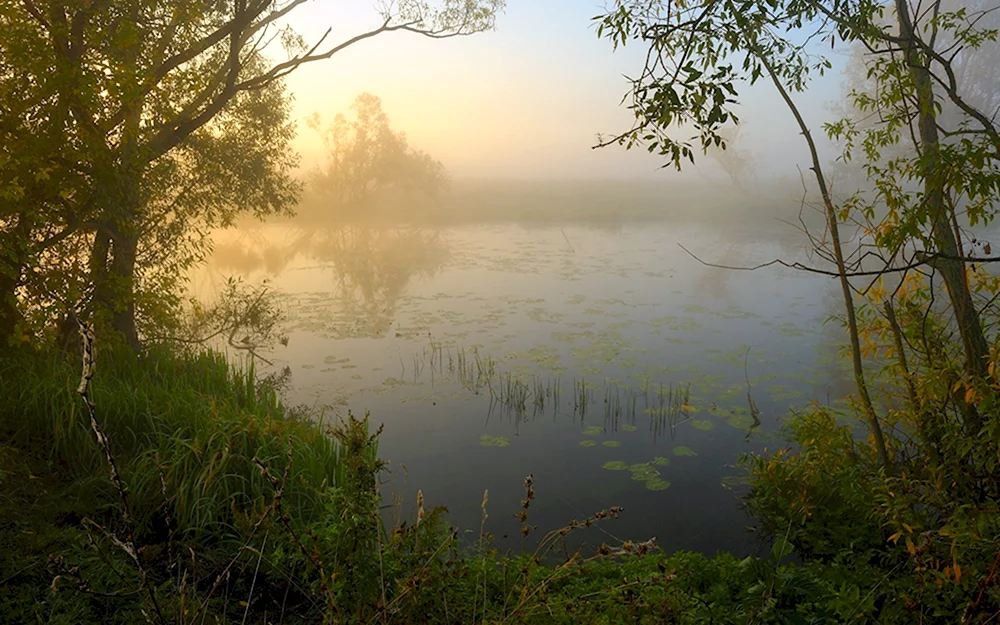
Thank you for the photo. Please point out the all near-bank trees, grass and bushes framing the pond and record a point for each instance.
(157, 482)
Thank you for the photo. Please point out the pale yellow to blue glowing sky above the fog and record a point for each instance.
(525, 101)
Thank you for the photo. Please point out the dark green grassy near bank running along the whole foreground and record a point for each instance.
(237, 511)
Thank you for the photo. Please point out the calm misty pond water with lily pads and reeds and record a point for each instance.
(437, 333)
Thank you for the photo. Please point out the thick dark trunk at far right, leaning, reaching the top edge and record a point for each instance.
(952, 270)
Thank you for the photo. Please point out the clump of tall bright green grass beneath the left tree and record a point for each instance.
(186, 426)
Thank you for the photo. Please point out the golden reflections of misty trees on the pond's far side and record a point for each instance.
(372, 266)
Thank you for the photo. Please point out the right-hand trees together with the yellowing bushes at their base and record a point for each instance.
(932, 479)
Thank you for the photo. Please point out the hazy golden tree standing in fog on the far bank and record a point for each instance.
(366, 156)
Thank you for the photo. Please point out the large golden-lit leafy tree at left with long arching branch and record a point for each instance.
(134, 100)
